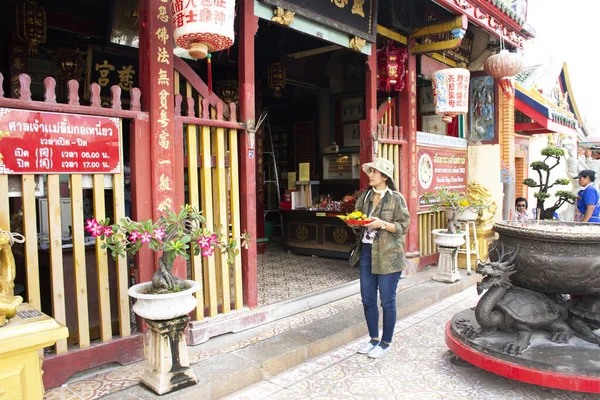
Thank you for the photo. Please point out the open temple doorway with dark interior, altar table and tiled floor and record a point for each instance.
(308, 166)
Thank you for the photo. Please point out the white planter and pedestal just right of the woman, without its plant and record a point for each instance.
(448, 245)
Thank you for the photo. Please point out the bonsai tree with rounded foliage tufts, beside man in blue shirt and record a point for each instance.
(543, 169)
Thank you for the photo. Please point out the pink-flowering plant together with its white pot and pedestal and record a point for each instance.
(165, 302)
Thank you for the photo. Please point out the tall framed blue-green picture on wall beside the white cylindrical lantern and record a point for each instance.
(482, 110)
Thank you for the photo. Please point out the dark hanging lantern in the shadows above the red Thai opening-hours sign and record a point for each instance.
(31, 25)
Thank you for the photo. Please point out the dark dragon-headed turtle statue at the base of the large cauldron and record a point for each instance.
(510, 309)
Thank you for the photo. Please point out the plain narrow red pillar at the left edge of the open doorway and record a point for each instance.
(248, 28)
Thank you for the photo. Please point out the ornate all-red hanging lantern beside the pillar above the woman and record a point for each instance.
(391, 68)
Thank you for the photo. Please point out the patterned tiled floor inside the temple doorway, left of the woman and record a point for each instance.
(284, 276)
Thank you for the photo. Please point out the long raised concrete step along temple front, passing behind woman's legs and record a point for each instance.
(247, 357)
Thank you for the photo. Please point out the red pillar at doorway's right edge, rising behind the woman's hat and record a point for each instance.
(370, 125)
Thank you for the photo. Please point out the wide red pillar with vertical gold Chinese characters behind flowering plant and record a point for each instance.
(156, 81)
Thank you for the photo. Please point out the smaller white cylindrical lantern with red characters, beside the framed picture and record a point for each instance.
(451, 92)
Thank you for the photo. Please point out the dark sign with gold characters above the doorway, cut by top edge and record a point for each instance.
(354, 17)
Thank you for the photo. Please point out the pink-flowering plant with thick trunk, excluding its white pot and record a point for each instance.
(172, 234)
